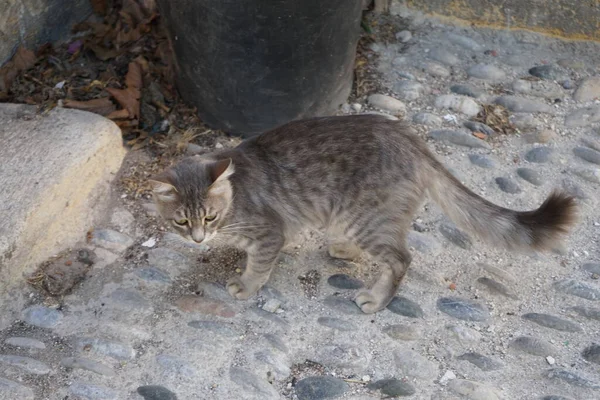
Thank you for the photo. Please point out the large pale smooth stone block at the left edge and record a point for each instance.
(72, 156)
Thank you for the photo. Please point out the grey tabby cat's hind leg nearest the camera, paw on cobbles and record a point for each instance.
(396, 259)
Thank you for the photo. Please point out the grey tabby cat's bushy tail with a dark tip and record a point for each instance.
(539, 229)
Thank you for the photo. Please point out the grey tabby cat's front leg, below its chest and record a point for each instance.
(261, 260)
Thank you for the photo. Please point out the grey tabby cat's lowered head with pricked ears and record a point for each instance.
(194, 196)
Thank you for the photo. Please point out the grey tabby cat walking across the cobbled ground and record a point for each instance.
(359, 178)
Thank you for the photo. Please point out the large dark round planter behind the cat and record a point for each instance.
(251, 65)
